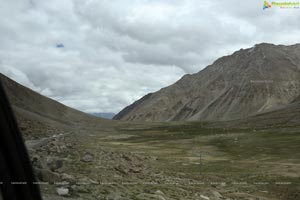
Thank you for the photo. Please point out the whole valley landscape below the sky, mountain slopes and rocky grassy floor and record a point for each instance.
(210, 136)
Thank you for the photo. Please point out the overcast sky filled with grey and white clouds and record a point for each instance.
(102, 55)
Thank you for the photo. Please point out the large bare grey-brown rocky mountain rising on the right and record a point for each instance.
(248, 82)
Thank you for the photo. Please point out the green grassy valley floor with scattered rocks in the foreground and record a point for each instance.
(171, 161)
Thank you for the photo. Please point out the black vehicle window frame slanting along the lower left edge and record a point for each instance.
(17, 181)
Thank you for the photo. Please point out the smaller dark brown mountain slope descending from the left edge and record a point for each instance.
(41, 116)
